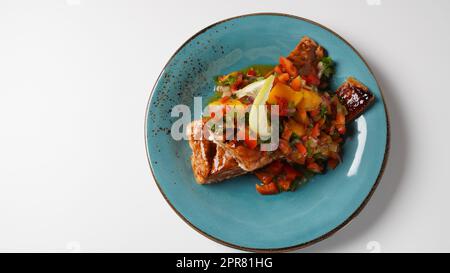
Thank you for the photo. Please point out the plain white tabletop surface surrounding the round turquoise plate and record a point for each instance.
(75, 76)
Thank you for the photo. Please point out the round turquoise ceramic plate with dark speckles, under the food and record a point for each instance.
(232, 212)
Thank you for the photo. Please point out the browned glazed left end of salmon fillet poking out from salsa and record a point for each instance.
(210, 163)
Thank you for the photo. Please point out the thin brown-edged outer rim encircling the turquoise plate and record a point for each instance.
(310, 242)
